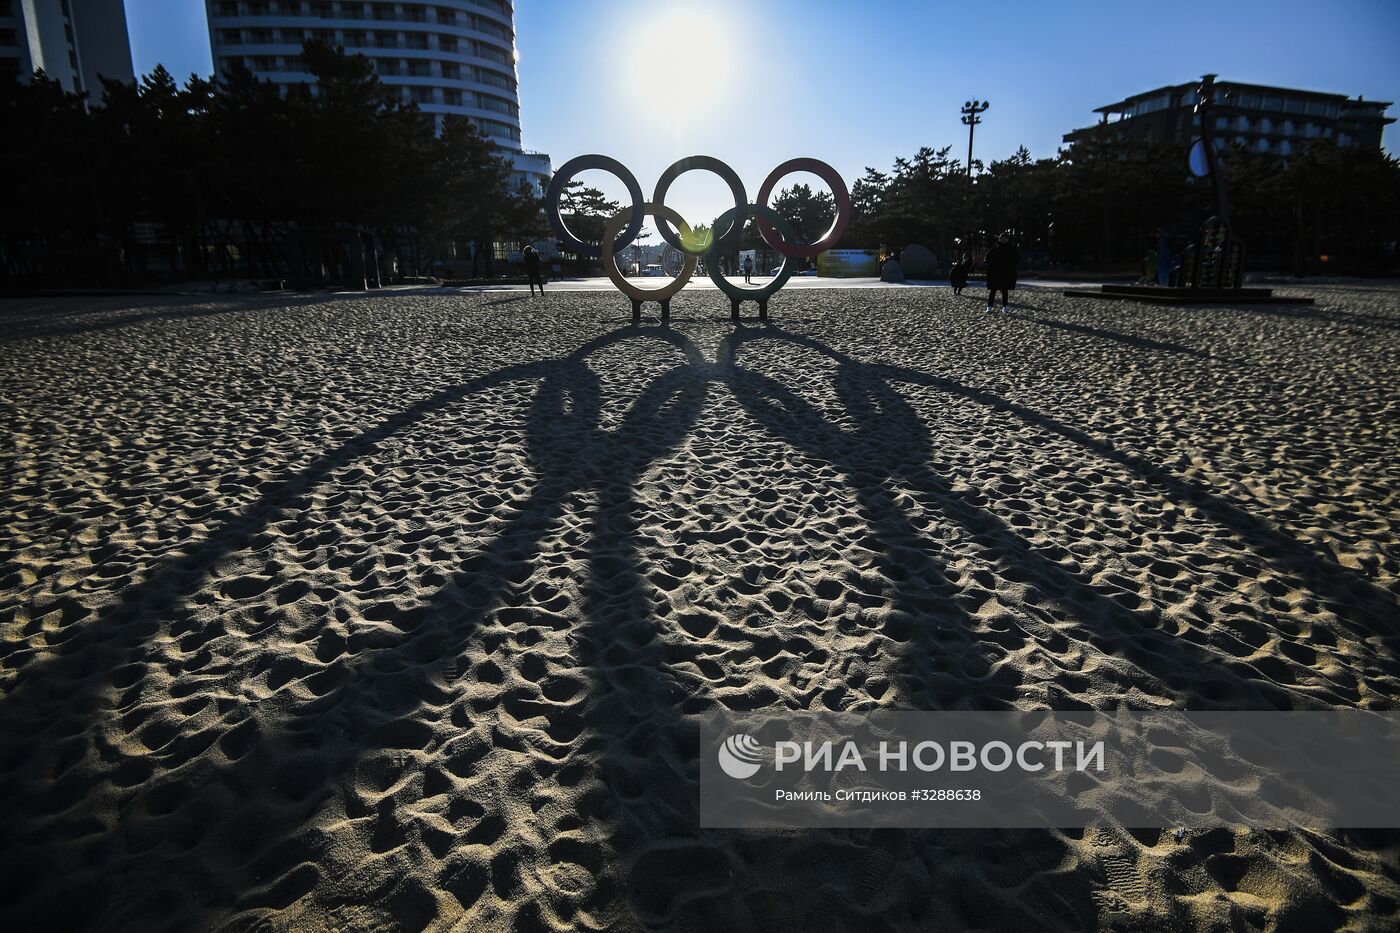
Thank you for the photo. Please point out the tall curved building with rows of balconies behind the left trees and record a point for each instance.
(449, 57)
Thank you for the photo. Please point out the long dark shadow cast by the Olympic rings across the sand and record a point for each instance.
(638, 697)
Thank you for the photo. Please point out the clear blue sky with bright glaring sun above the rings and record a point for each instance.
(862, 82)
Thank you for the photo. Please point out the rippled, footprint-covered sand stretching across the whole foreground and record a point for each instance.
(341, 613)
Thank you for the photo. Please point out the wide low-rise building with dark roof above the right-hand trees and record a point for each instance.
(1265, 120)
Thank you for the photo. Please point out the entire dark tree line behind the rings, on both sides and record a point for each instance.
(346, 183)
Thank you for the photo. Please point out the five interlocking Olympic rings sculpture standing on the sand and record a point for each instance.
(624, 228)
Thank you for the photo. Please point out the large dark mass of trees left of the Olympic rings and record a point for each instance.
(232, 179)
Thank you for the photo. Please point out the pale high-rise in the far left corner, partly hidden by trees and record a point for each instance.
(75, 43)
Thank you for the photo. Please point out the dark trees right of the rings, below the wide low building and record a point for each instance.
(1324, 209)
